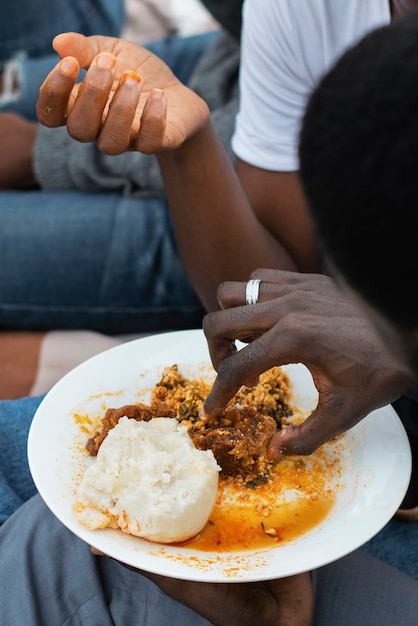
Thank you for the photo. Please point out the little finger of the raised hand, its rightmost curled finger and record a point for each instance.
(150, 138)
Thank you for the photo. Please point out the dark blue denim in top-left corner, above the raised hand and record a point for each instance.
(30, 26)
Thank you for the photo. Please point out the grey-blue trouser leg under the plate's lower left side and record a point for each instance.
(39, 589)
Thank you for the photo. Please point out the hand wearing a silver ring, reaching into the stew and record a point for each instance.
(301, 318)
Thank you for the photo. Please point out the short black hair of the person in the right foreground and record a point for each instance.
(359, 167)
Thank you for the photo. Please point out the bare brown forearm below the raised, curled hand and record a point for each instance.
(218, 235)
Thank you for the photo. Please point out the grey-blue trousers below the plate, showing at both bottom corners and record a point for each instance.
(48, 577)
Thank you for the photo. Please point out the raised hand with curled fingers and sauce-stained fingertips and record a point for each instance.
(128, 100)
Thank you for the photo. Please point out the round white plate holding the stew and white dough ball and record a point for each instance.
(376, 461)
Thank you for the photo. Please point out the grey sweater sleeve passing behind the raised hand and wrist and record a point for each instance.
(60, 162)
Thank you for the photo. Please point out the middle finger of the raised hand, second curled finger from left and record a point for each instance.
(85, 117)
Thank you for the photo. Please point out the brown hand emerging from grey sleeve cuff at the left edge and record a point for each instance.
(17, 137)
